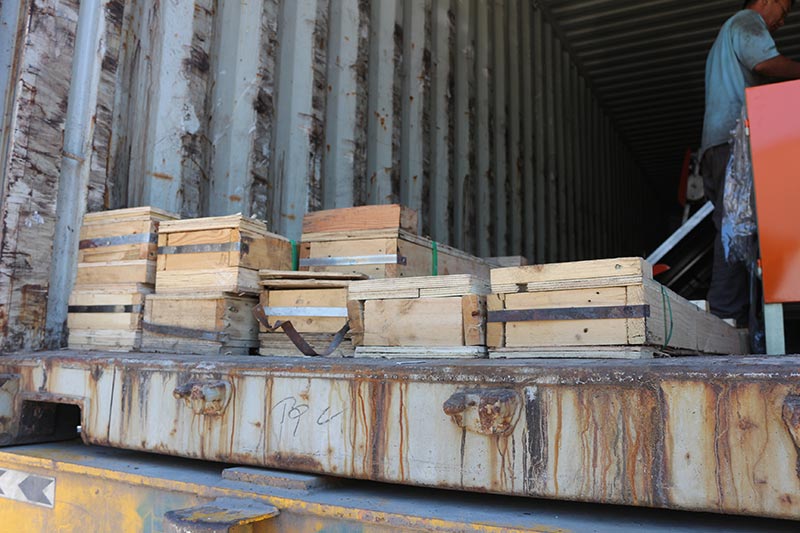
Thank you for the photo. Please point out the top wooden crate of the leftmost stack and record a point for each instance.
(119, 247)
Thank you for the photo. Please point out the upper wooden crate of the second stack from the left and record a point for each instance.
(217, 254)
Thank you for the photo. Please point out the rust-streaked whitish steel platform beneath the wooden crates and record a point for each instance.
(708, 434)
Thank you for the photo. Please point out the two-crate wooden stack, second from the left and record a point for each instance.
(207, 284)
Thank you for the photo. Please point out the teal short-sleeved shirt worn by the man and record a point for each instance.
(743, 42)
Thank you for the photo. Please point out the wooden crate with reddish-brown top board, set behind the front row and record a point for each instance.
(380, 242)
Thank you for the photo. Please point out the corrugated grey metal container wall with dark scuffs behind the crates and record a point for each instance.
(471, 111)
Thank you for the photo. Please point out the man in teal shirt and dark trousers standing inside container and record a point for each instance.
(743, 55)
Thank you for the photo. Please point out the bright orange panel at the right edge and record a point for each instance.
(774, 113)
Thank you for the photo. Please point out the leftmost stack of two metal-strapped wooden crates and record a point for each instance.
(116, 269)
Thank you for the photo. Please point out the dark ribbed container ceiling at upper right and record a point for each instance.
(646, 63)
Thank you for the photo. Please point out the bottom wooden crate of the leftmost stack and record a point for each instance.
(107, 318)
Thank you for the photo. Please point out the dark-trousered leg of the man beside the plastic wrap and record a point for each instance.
(728, 295)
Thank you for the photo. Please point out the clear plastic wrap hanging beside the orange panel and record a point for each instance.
(739, 225)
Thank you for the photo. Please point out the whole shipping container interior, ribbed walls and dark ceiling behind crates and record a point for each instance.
(555, 129)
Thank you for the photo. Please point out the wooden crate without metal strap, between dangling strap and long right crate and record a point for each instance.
(433, 316)
